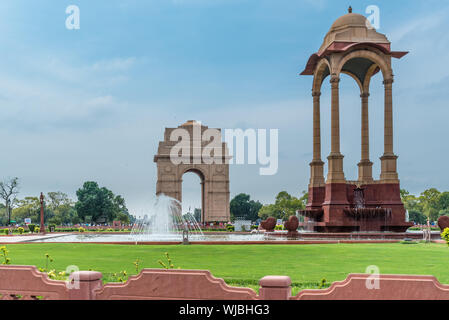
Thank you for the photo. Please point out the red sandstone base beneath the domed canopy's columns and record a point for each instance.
(343, 207)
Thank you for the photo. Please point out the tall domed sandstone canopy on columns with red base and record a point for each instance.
(353, 47)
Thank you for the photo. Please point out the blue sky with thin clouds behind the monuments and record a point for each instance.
(92, 104)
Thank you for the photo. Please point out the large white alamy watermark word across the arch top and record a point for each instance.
(206, 147)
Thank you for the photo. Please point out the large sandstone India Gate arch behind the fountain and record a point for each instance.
(215, 196)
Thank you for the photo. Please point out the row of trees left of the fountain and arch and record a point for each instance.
(94, 205)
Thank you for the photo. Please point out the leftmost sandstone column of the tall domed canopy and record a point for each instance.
(316, 166)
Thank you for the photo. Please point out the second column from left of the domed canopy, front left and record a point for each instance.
(335, 158)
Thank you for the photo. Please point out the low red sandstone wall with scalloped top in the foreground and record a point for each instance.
(26, 282)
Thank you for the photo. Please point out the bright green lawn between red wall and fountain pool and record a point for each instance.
(244, 265)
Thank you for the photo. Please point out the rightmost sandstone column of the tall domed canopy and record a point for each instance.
(388, 160)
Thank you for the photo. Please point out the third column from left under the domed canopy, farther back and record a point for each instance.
(365, 165)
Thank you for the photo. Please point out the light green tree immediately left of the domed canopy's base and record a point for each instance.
(285, 205)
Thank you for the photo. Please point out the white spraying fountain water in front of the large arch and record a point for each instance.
(166, 223)
